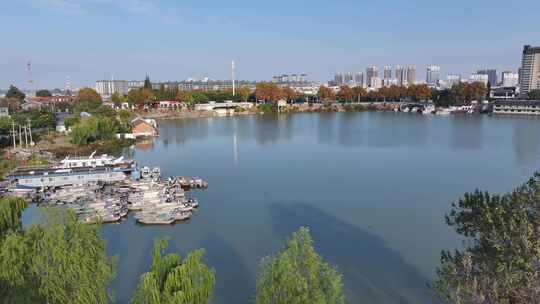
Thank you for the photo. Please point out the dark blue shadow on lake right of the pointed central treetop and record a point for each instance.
(373, 273)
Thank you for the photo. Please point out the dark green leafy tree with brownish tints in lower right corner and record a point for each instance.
(501, 263)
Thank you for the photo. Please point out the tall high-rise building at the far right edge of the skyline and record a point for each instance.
(530, 69)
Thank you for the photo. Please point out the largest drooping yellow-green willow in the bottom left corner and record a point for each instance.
(61, 261)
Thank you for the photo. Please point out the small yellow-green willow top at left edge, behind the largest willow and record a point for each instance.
(11, 209)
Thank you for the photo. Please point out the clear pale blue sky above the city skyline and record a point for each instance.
(171, 40)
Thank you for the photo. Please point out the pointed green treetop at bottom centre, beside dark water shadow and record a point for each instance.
(298, 275)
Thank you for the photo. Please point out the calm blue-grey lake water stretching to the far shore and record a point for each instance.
(372, 187)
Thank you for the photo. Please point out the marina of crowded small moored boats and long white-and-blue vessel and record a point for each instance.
(105, 190)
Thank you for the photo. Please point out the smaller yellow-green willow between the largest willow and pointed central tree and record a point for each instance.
(173, 280)
